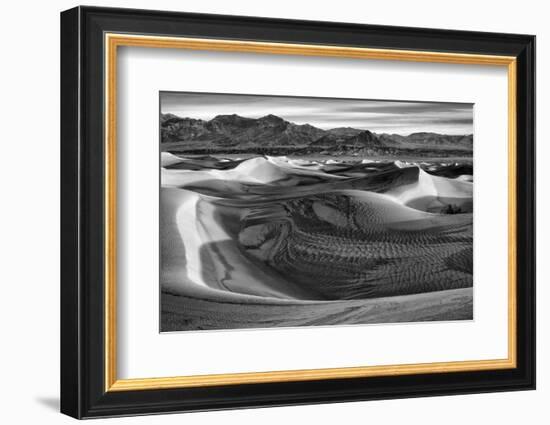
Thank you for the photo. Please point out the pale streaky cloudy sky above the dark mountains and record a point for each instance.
(379, 116)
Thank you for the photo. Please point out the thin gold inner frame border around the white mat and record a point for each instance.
(113, 41)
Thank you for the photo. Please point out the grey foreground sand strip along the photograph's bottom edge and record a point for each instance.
(188, 313)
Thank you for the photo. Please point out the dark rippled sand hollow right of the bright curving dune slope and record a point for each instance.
(340, 245)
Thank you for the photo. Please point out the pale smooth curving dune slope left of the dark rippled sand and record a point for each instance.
(208, 250)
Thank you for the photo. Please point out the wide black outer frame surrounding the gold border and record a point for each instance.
(82, 212)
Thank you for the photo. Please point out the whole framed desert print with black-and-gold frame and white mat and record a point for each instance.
(261, 212)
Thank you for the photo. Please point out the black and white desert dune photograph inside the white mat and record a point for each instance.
(300, 211)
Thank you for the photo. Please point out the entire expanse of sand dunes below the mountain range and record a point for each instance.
(266, 242)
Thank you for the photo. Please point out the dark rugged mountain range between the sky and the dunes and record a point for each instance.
(237, 133)
